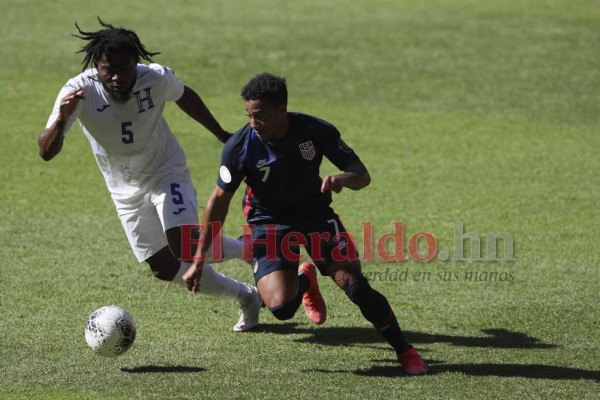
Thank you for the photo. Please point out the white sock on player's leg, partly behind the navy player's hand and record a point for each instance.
(215, 284)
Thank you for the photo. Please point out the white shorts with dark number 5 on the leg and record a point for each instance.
(169, 203)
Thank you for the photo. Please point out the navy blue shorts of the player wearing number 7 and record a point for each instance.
(277, 246)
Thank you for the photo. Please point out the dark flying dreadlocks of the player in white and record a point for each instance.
(111, 40)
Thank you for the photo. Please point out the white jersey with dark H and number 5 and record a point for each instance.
(131, 141)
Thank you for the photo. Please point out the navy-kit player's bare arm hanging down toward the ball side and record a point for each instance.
(214, 215)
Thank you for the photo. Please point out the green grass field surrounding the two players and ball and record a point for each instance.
(482, 113)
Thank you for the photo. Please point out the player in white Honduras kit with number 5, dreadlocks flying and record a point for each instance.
(119, 103)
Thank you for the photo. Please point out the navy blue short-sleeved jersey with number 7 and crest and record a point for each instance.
(282, 176)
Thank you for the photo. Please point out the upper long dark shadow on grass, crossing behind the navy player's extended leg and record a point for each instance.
(496, 338)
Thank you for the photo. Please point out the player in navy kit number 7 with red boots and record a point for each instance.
(287, 204)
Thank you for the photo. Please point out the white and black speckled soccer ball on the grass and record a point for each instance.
(110, 331)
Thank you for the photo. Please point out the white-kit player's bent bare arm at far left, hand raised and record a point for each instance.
(51, 141)
